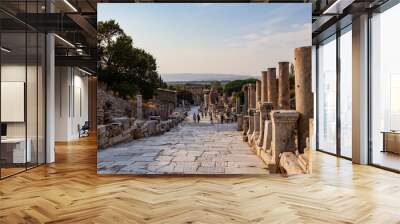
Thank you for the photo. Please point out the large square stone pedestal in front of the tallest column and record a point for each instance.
(284, 124)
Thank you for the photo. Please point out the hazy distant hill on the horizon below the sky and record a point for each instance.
(198, 77)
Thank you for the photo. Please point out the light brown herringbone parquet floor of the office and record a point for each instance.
(70, 191)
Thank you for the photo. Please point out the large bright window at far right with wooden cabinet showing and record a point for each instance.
(385, 84)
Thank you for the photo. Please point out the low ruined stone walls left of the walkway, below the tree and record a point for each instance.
(121, 120)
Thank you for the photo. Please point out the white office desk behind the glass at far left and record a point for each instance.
(13, 150)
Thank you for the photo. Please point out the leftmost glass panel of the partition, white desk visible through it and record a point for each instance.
(13, 88)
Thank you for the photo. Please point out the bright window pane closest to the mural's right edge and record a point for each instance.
(327, 96)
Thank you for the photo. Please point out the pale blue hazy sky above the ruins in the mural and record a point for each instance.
(214, 38)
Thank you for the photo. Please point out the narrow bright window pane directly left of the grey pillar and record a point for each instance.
(346, 93)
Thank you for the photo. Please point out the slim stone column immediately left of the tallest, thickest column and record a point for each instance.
(284, 86)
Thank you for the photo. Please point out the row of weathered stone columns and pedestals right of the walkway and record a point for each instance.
(279, 135)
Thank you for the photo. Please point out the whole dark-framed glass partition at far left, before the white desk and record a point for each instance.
(22, 101)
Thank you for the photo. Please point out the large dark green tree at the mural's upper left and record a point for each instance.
(125, 69)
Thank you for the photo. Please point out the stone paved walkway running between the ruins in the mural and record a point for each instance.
(190, 148)
